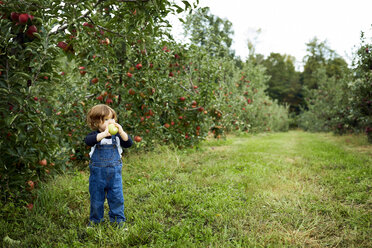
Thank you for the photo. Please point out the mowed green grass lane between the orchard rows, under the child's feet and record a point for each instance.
(293, 189)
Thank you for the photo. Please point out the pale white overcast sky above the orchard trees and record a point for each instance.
(287, 25)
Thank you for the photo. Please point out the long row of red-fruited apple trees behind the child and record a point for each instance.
(62, 57)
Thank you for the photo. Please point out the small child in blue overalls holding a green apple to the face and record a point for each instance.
(105, 164)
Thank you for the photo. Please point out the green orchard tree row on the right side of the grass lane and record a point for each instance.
(342, 103)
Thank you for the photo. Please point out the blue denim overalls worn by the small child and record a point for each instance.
(105, 181)
